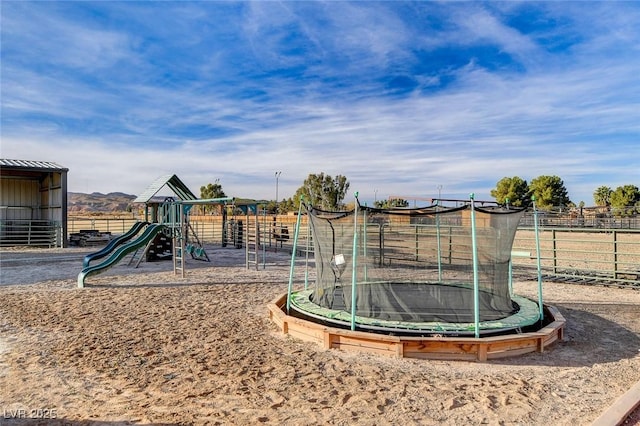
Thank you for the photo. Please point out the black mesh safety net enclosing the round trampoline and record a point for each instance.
(414, 265)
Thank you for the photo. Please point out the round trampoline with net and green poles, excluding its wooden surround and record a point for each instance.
(432, 270)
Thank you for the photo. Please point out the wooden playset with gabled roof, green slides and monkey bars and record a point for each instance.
(166, 232)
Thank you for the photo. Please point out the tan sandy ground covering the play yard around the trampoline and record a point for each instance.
(146, 346)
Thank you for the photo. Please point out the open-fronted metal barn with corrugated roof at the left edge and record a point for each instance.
(33, 203)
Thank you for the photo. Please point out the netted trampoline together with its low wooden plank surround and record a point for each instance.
(431, 282)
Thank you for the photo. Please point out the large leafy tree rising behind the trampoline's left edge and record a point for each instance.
(323, 191)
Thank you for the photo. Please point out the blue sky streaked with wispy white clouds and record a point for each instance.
(402, 98)
